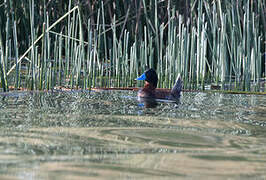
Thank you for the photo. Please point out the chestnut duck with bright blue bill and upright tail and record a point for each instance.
(151, 91)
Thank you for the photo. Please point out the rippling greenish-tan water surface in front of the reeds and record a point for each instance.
(110, 135)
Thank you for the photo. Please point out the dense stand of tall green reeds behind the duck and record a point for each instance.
(79, 44)
